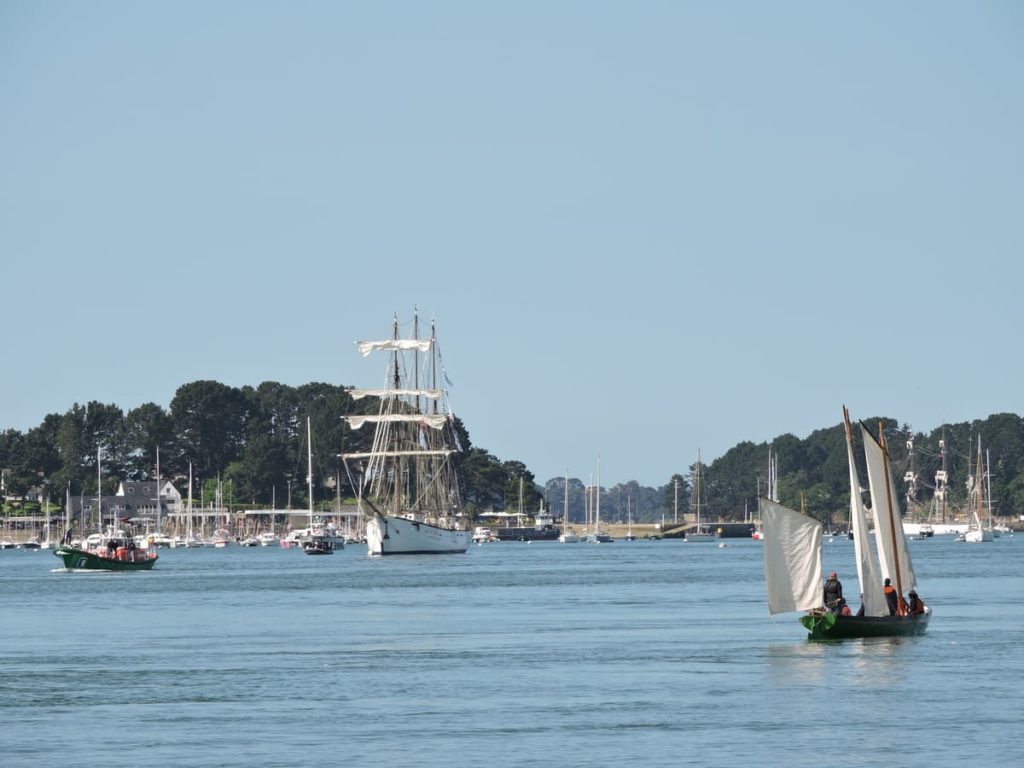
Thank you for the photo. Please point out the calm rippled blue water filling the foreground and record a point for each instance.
(643, 654)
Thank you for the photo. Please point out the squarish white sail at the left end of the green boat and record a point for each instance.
(793, 559)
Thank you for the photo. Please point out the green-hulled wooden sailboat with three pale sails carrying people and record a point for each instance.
(793, 559)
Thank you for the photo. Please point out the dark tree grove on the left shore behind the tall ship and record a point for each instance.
(253, 439)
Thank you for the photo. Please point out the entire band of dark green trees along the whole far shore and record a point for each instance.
(254, 440)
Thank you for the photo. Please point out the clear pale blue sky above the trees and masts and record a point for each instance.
(644, 229)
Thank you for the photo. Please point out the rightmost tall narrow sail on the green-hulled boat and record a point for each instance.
(889, 536)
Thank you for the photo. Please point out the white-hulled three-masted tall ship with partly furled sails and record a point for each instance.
(407, 485)
